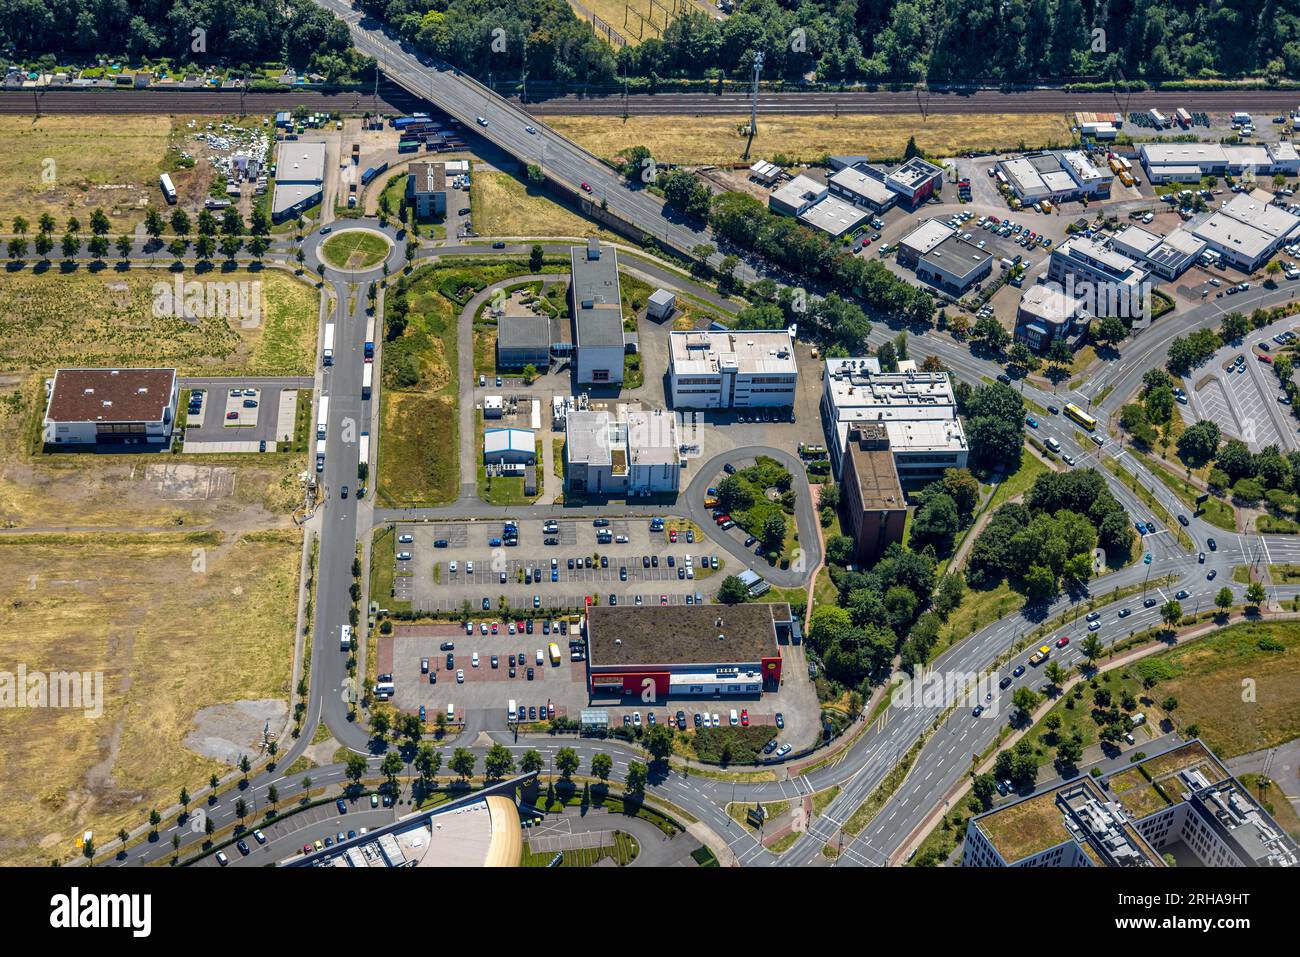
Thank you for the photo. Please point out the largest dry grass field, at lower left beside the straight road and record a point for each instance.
(170, 642)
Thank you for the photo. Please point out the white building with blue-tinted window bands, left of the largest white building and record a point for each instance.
(731, 370)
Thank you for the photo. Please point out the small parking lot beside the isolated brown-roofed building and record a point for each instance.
(263, 414)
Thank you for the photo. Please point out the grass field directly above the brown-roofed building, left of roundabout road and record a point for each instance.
(106, 318)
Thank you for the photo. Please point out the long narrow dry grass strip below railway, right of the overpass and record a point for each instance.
(717, 140)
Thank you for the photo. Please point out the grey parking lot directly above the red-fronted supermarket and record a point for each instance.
(448, 566)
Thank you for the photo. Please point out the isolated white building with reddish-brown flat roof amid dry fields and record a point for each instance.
(109, 408)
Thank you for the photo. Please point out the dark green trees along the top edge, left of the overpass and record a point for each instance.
(192, 32)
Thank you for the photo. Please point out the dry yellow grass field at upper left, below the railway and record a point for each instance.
(67, 166)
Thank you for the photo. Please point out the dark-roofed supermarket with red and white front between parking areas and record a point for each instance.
(686, 651)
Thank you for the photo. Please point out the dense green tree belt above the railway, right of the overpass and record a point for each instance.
(1020, 41)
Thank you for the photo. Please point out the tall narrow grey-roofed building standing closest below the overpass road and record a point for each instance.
(597, 313)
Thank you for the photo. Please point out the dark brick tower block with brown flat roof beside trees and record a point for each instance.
(874, 505)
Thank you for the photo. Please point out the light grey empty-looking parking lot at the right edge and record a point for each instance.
(1240, 393)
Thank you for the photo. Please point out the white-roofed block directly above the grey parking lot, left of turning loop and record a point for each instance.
(622, 454)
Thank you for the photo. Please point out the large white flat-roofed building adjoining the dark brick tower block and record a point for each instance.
(918, 410)
